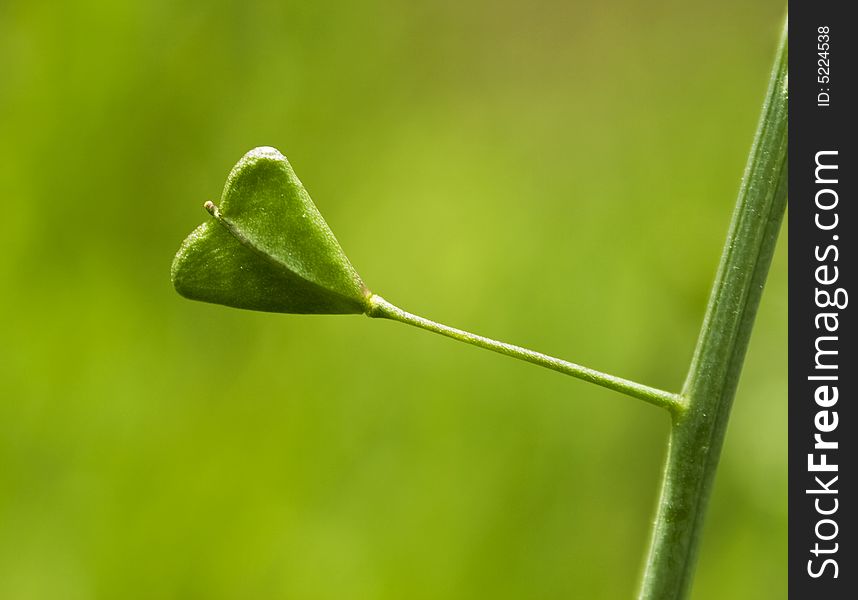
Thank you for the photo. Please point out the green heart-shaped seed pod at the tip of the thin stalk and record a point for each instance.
(267, 247)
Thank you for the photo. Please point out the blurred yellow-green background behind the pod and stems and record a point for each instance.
(555, 174)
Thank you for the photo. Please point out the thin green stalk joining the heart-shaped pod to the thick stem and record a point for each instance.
(384, 309)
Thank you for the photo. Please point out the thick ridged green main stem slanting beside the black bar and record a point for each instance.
(698, 433)
